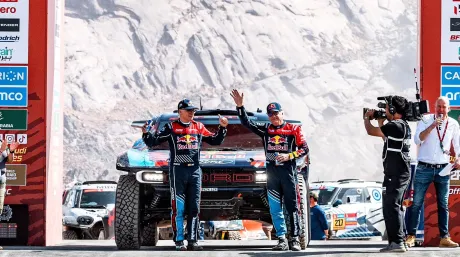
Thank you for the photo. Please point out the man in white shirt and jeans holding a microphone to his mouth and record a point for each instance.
(435, 134)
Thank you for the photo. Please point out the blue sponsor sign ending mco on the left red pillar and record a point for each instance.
(13, 86)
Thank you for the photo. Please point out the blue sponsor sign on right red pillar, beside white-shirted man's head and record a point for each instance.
(450, 84)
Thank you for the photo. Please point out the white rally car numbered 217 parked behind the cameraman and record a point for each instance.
(353, 208)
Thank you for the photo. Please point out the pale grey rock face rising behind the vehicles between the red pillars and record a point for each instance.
(323, 60)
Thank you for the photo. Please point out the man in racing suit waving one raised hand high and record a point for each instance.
(279, 140)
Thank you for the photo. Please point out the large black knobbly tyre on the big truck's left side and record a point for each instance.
(128, 213)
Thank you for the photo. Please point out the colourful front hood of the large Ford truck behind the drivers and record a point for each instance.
(140, 157)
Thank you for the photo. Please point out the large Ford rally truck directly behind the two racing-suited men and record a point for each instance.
(233, 182)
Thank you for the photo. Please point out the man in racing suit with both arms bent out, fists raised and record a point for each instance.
(185, 137)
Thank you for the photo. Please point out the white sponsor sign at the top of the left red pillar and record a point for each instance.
(14, 32)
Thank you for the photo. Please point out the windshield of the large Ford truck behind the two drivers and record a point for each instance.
(238, 138)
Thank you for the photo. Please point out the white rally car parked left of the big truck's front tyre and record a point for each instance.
(85, 207)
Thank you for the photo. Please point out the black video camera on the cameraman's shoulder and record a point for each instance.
(412, 112)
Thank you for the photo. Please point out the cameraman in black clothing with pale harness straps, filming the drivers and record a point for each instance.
(396, 164)
